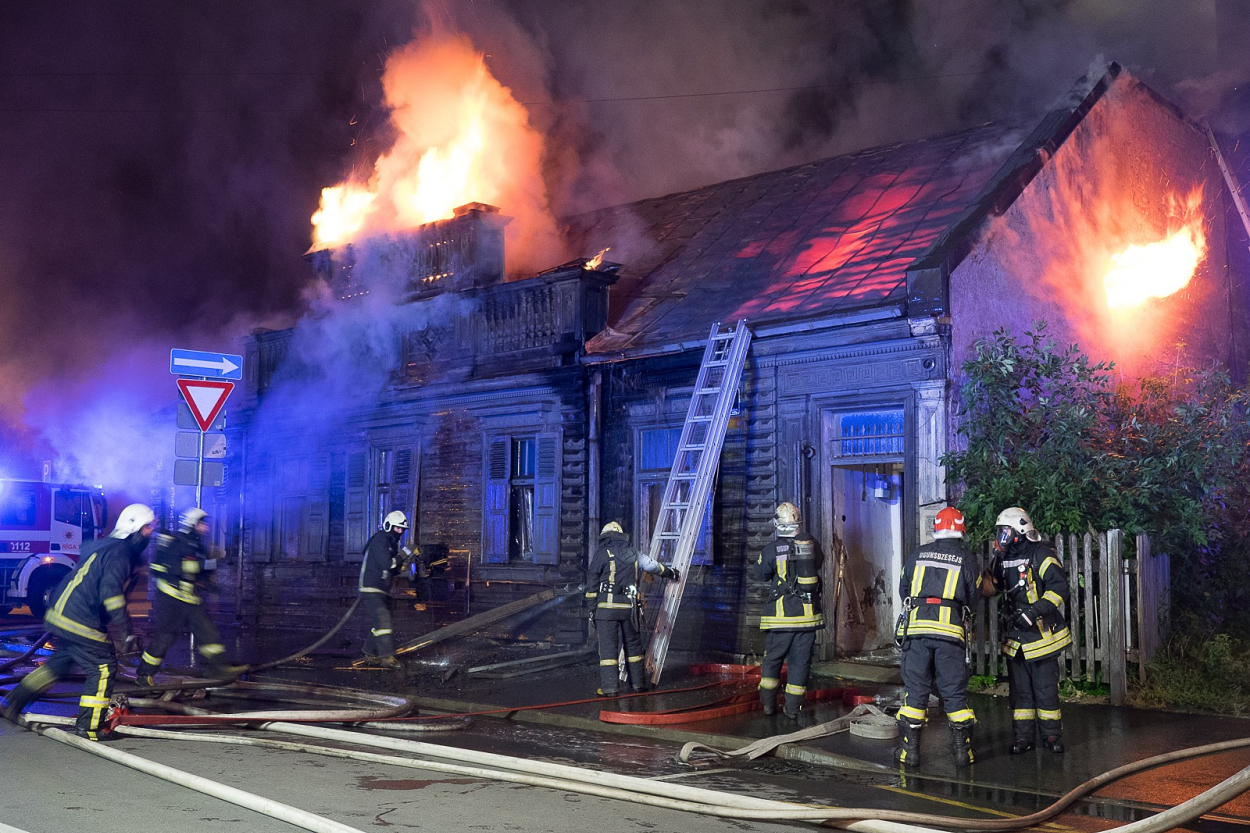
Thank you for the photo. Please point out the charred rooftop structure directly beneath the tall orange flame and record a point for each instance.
(452, 256)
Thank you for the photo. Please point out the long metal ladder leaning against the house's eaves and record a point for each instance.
(694, 471)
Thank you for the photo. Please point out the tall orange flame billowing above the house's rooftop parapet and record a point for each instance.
(461, 137)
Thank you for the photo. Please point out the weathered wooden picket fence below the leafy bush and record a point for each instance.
(1117, 611)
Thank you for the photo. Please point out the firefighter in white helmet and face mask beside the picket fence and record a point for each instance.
(1034, 587)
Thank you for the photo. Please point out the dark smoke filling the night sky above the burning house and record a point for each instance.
(161, 162)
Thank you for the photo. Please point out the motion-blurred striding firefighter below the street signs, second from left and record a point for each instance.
(181, 568)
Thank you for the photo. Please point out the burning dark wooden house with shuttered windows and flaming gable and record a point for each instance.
(519, 416)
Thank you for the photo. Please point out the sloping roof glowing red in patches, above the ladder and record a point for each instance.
(821, 240)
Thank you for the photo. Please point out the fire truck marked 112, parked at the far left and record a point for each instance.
(43, 528)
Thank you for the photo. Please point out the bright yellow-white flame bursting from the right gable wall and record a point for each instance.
(1158, 270)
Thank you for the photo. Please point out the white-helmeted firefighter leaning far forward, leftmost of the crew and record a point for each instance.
(89, 625)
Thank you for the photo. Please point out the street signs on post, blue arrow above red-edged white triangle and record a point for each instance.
(206, 397)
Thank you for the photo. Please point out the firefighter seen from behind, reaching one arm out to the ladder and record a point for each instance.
(613, 592)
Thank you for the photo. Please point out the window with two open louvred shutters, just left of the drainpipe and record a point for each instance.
(521, 522)
